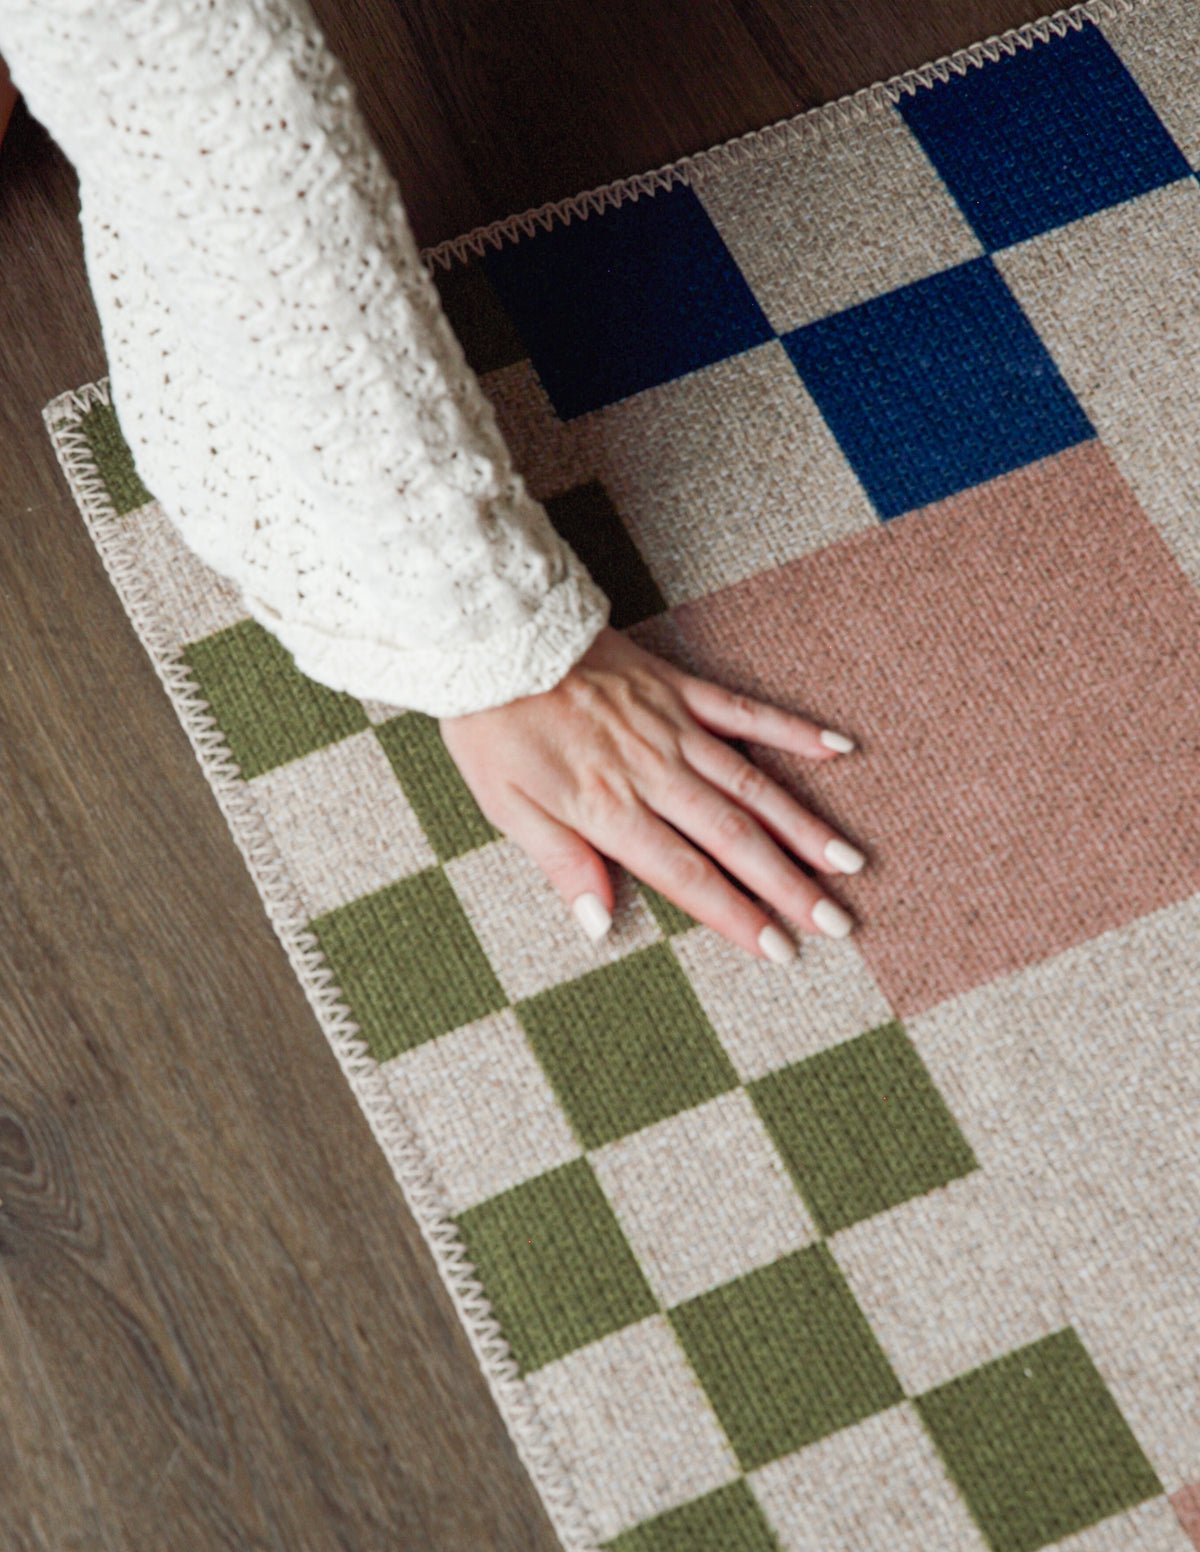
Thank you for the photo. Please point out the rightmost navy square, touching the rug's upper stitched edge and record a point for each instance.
(1044, 137)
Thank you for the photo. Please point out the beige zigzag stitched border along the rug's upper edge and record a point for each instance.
(841, 116)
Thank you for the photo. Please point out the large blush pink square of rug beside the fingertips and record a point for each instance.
(1021, 667)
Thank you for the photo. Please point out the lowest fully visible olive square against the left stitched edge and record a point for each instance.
(555, 1264)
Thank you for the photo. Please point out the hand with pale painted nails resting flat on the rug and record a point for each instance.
(580, 769)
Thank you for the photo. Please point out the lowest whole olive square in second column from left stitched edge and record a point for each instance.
(786, 1356)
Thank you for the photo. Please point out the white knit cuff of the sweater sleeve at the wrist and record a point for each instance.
(451, 684)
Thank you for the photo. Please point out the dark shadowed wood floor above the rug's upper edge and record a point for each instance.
(487, 108)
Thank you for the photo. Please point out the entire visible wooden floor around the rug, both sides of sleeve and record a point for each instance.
(220, 1328)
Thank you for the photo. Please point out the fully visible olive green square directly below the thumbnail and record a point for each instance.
(626, 1045)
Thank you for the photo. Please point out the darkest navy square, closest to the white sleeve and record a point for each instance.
(628, 299)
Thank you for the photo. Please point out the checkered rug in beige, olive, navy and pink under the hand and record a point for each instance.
(889, 415)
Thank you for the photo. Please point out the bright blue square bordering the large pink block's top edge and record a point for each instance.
(937, 387)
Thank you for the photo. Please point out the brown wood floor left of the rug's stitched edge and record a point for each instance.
(206, 1259)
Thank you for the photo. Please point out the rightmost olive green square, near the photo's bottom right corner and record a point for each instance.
(1038, 1446)
